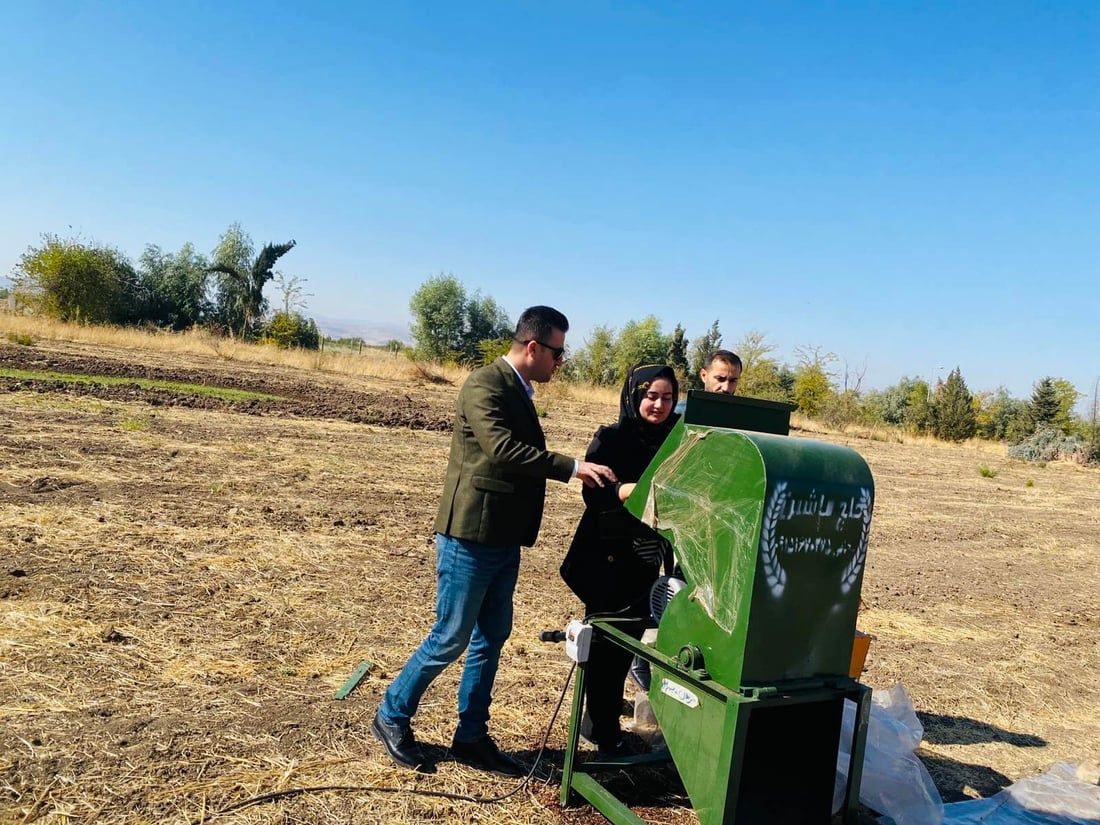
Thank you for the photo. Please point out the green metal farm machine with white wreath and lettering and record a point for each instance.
(751, 668)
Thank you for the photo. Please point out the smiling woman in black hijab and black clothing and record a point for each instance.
(614, 559)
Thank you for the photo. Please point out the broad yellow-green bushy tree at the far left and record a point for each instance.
(74, 281)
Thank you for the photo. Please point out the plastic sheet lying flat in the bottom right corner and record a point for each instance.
(1058, 798)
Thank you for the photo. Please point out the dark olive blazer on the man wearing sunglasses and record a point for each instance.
(497, 476)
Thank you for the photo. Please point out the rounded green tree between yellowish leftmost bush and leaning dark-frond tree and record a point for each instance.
(174, 288)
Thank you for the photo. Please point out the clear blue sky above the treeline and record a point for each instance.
(912, 186)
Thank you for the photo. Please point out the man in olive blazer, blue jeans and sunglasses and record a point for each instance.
(492, 505)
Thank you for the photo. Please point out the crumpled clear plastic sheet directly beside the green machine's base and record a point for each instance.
(895, 780)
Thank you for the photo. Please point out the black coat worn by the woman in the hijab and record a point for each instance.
(602, 567)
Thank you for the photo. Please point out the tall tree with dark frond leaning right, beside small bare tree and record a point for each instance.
(240, 301)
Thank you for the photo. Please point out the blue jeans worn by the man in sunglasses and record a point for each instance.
(474, 609)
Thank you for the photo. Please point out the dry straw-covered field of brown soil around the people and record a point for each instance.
(186, 582)
